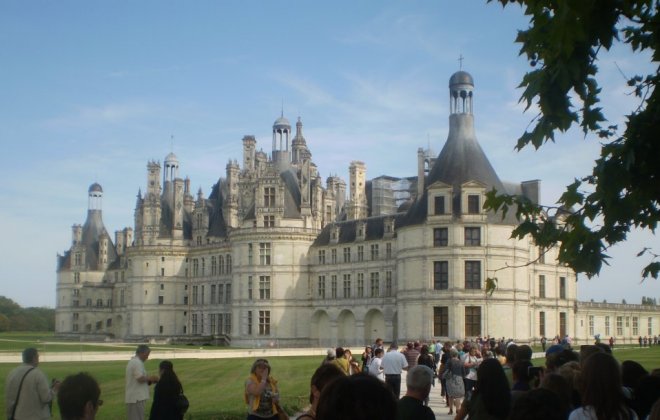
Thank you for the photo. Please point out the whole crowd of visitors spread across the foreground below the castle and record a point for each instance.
(478, 379)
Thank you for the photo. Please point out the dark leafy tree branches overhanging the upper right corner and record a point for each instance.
(622, 192)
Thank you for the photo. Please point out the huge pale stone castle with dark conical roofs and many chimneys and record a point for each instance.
(274, 255)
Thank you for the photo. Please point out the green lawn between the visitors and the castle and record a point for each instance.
(215, 387)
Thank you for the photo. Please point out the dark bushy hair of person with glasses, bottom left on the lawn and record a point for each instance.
(74, 394)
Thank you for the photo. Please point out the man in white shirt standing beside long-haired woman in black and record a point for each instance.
(137, 384)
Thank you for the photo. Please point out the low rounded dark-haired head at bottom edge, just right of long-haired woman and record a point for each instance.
(538, 404)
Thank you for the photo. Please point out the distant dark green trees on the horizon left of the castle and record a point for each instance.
(15, 318)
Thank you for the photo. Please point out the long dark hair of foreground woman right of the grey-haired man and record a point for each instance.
(493, 388)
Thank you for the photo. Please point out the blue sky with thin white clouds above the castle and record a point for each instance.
(91, 91)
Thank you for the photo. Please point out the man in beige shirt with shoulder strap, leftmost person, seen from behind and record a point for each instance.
(27, 392)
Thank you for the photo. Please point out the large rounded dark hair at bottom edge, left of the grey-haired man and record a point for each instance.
(356, 397)
